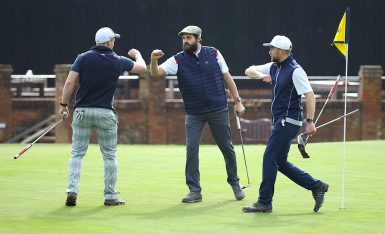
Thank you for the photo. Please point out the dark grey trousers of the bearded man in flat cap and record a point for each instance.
(220, 129)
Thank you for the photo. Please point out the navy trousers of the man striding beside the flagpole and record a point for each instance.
(275, 159)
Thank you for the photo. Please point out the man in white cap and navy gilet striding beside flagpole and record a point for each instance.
(289, 82)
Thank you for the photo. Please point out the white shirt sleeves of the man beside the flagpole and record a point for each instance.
(300, 80)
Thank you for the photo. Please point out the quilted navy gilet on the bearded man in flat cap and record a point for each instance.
(201, 81)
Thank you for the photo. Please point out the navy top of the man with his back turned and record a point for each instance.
(99, 71)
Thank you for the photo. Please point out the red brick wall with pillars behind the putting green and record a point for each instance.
(151, 120)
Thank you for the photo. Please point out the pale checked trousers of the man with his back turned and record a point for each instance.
(104, 121)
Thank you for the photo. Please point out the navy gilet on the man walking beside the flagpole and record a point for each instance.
(285, 100)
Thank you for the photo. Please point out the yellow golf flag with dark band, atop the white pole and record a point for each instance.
(341, 39)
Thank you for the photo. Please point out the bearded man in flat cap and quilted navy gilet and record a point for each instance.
(202, 74)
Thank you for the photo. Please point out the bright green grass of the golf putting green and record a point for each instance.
(151, 180)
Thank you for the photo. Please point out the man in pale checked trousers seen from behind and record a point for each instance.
(97, 72)
